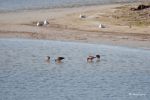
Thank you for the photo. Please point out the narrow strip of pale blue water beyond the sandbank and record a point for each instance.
(11, 5)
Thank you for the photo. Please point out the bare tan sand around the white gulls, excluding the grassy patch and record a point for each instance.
(65, 25)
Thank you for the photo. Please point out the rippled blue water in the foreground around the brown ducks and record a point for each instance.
(122, 73)
